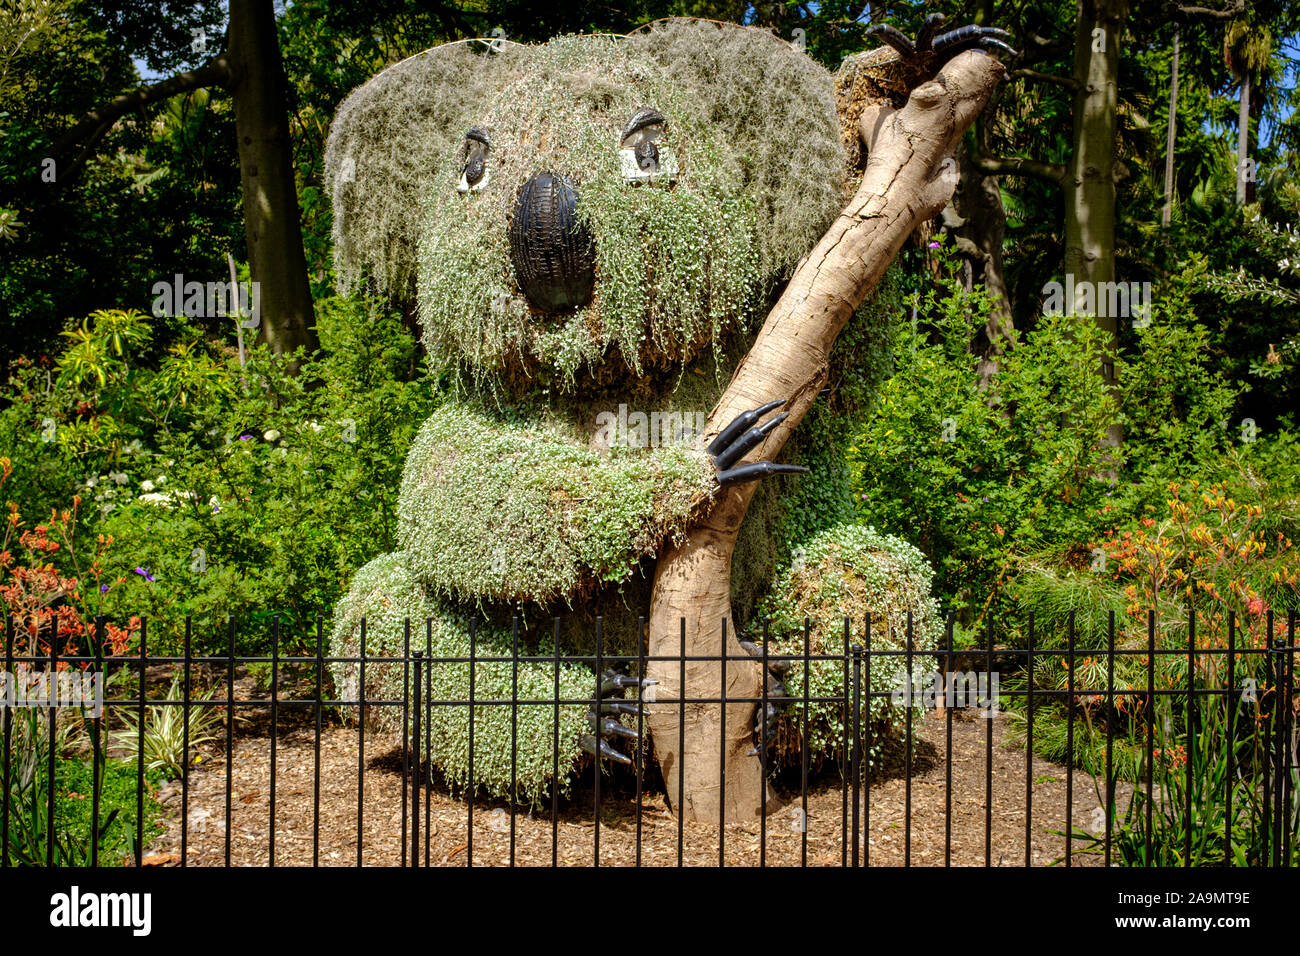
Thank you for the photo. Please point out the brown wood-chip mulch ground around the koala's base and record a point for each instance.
(922, 825)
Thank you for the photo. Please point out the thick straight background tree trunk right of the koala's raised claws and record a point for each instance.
(1090, 185)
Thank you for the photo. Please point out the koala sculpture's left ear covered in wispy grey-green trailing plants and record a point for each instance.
(385, 145)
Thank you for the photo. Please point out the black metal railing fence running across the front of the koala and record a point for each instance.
(1210, 732)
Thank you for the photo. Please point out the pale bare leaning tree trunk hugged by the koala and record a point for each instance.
(900, 189)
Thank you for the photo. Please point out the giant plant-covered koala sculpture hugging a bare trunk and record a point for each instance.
(590, 232)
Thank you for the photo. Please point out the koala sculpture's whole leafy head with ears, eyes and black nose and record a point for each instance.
(588, 209)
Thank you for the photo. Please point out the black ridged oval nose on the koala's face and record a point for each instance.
(549, 248)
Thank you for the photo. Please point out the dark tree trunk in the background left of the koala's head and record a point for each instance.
(272, 224)
